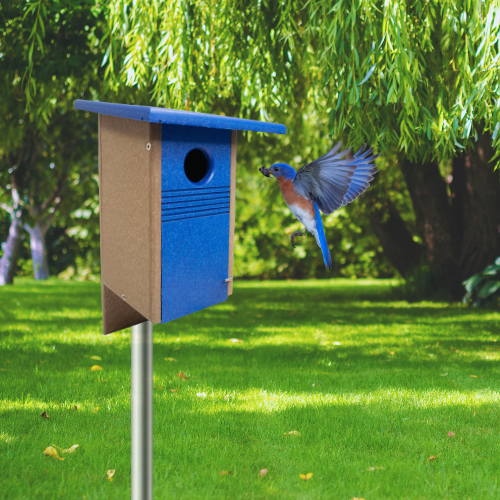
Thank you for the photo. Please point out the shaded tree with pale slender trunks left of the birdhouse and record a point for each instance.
(49, 56)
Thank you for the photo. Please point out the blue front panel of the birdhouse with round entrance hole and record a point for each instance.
(195, 221)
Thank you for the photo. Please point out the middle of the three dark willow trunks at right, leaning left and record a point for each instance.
(435, 222)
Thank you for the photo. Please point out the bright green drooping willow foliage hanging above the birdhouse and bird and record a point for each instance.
(420, 77)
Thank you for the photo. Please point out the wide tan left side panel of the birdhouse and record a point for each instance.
(130, 205)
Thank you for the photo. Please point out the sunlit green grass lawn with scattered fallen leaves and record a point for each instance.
(369, 382)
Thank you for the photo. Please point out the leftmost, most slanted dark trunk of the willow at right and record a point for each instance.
(403, 253)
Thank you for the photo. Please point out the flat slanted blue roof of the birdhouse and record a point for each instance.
(176, 117)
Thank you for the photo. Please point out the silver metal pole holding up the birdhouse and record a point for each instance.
(142, 411)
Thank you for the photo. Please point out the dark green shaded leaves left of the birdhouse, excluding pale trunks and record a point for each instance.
(50, 56)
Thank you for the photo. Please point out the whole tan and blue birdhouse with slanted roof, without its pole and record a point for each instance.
(167, 182)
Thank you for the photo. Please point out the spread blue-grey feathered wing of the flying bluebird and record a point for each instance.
(333, 181)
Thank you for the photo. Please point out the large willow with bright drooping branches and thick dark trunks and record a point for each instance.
(420, 81)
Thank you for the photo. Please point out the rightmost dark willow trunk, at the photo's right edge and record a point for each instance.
(475, 193)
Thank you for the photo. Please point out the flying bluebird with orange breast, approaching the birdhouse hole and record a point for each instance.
(326, 184)
